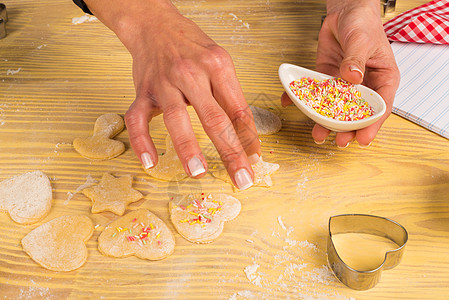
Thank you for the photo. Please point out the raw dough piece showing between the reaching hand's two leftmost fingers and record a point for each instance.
(169, 166)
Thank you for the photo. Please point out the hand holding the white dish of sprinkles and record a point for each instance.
(352, 45)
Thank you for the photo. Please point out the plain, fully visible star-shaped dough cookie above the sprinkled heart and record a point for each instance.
(112, 194)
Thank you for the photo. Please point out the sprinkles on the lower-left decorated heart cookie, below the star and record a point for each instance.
(143, 234)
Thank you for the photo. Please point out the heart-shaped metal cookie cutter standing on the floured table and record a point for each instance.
(369, 224)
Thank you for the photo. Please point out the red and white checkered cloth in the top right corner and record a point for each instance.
(428, 23)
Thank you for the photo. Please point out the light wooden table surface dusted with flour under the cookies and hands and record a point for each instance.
(70, 74)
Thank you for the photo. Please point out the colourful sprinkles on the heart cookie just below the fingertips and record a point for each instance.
(202, 212)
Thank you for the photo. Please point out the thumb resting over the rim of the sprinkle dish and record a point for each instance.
(355, 55)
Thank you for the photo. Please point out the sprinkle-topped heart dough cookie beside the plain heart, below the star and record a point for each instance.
(139, 233)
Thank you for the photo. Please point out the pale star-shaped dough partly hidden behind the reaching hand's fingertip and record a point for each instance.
(262, 173)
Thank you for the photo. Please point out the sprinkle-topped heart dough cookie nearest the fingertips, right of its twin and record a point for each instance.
(201, 219)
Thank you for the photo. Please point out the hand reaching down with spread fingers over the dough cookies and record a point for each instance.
(176, 64)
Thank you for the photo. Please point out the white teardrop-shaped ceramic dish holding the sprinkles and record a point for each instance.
(289, 73)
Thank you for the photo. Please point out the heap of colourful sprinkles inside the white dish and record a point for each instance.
(334, 98)
